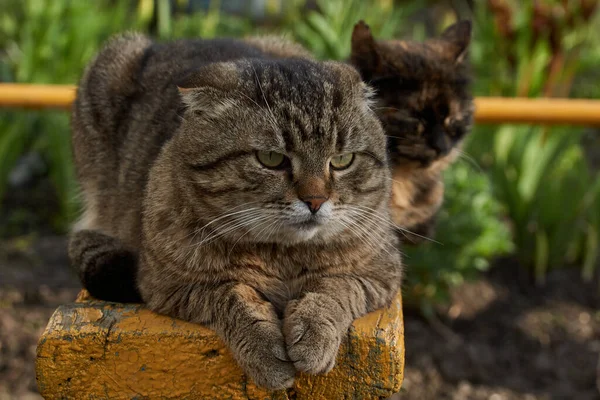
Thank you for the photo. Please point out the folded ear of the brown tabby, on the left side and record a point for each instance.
(200, 88)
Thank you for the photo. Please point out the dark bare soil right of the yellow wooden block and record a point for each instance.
(505, 339)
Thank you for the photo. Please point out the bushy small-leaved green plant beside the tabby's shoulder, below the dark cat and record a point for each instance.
(470, 232)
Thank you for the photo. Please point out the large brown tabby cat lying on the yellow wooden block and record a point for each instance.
(252, 191)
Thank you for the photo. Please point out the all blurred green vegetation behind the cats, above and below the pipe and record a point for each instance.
(533, 192)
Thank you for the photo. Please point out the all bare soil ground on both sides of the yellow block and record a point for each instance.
(500, 339)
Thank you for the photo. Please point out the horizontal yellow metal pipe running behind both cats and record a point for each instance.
(495, 110)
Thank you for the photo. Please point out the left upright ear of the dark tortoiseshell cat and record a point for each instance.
(365, 55)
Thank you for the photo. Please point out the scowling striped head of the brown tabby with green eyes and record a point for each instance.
(283, 152)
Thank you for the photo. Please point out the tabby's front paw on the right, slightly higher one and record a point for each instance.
(311, 336)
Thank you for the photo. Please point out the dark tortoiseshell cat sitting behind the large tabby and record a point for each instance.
(426, 107)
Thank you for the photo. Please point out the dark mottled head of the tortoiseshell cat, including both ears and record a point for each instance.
(425, 103)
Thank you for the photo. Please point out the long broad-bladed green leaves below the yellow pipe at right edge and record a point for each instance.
(550, 194)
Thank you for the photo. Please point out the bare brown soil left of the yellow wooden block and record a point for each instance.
(34, 280)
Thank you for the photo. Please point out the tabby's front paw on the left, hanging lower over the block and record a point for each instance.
(264, 356)
